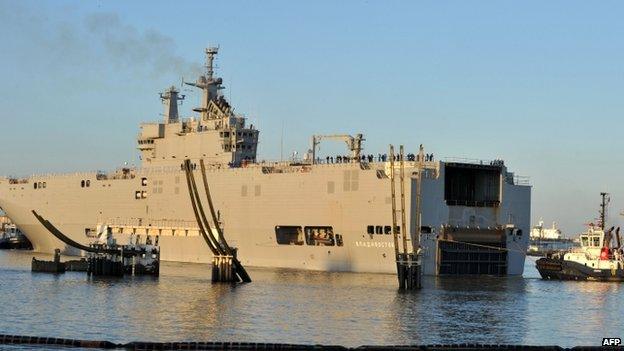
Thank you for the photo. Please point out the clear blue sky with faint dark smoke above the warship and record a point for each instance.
(537, 83)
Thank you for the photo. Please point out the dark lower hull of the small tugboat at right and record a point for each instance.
(556, 269)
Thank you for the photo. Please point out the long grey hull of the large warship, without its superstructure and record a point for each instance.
(251, 203)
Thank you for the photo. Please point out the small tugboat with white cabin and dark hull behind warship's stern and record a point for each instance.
(600, 256)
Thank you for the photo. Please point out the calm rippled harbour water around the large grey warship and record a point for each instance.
(306, 307)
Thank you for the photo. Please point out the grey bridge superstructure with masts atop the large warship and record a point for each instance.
(217, 134)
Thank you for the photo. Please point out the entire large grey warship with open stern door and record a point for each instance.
(316, 213)
